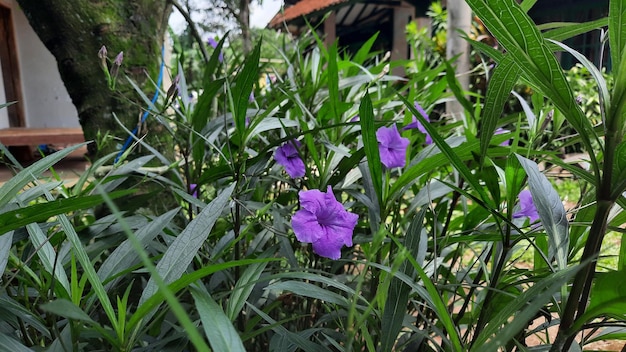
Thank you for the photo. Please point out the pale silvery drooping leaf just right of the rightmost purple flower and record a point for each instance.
(551, 212)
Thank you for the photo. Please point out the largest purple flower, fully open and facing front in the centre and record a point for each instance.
(324, 222)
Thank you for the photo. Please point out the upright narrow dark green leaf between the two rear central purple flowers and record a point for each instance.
(370, 145)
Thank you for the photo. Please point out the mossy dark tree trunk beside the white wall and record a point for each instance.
(75, 30)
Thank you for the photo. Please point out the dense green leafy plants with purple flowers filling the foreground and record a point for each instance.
(337, 208)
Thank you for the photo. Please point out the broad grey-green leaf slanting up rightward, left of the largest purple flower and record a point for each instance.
(183, 249)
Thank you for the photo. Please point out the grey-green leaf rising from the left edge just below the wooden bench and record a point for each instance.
(16, 183)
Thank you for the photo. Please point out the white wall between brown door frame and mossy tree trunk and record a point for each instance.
(46, 101)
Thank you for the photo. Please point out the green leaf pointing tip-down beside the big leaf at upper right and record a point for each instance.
(505, 75)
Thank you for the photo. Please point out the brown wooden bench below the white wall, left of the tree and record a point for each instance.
(26, 136)
